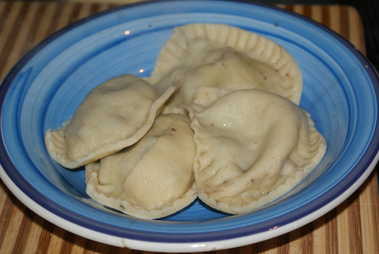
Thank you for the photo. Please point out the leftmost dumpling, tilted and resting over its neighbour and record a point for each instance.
(114, 115)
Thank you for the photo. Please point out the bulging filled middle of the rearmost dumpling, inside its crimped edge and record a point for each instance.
(231, 71)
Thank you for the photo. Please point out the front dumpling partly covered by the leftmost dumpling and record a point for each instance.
(152, 179)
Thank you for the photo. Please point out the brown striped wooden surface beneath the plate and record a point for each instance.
(350, 228)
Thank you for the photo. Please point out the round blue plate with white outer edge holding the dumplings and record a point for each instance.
(47, 85)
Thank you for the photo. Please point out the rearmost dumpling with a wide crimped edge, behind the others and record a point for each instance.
(227, 57)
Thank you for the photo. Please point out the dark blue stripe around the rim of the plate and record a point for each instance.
(359, 169)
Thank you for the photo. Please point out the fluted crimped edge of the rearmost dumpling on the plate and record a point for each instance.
(246, 42)
